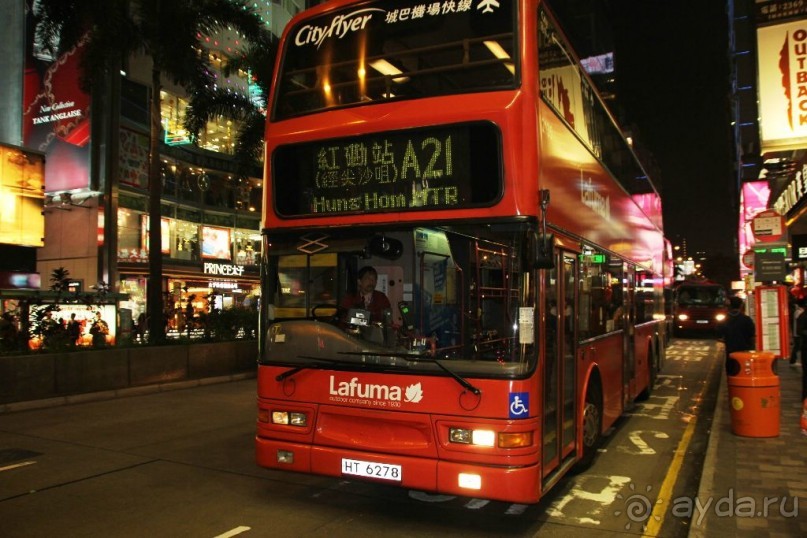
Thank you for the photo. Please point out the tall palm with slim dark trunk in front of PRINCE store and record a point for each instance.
(168, 32)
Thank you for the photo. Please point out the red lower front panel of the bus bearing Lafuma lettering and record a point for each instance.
(411, 434)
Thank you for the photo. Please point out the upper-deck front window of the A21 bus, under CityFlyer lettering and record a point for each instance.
(390, 49)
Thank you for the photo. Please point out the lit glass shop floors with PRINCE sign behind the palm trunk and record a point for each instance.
(209, 232)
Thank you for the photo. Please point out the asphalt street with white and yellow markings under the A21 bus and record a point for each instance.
(180, 463)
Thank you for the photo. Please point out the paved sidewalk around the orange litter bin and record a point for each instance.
(743, 474)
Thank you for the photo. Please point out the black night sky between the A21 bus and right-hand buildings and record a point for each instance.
(672, 80)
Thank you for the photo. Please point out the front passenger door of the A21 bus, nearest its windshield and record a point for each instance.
(559, 402)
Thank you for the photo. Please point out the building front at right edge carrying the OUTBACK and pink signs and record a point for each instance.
(768, 45)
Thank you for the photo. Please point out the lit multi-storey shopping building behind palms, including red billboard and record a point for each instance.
(95, 198)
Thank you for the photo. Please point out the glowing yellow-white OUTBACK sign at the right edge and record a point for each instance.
(782, 68)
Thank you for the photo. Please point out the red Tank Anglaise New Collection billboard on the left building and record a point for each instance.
(56, 111)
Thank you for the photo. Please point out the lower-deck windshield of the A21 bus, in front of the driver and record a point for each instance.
(457, 295)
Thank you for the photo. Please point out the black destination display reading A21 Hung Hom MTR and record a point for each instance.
(432, 168)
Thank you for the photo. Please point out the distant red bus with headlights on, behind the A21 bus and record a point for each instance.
(699, 307)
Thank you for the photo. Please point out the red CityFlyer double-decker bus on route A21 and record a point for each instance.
(461, 151)
